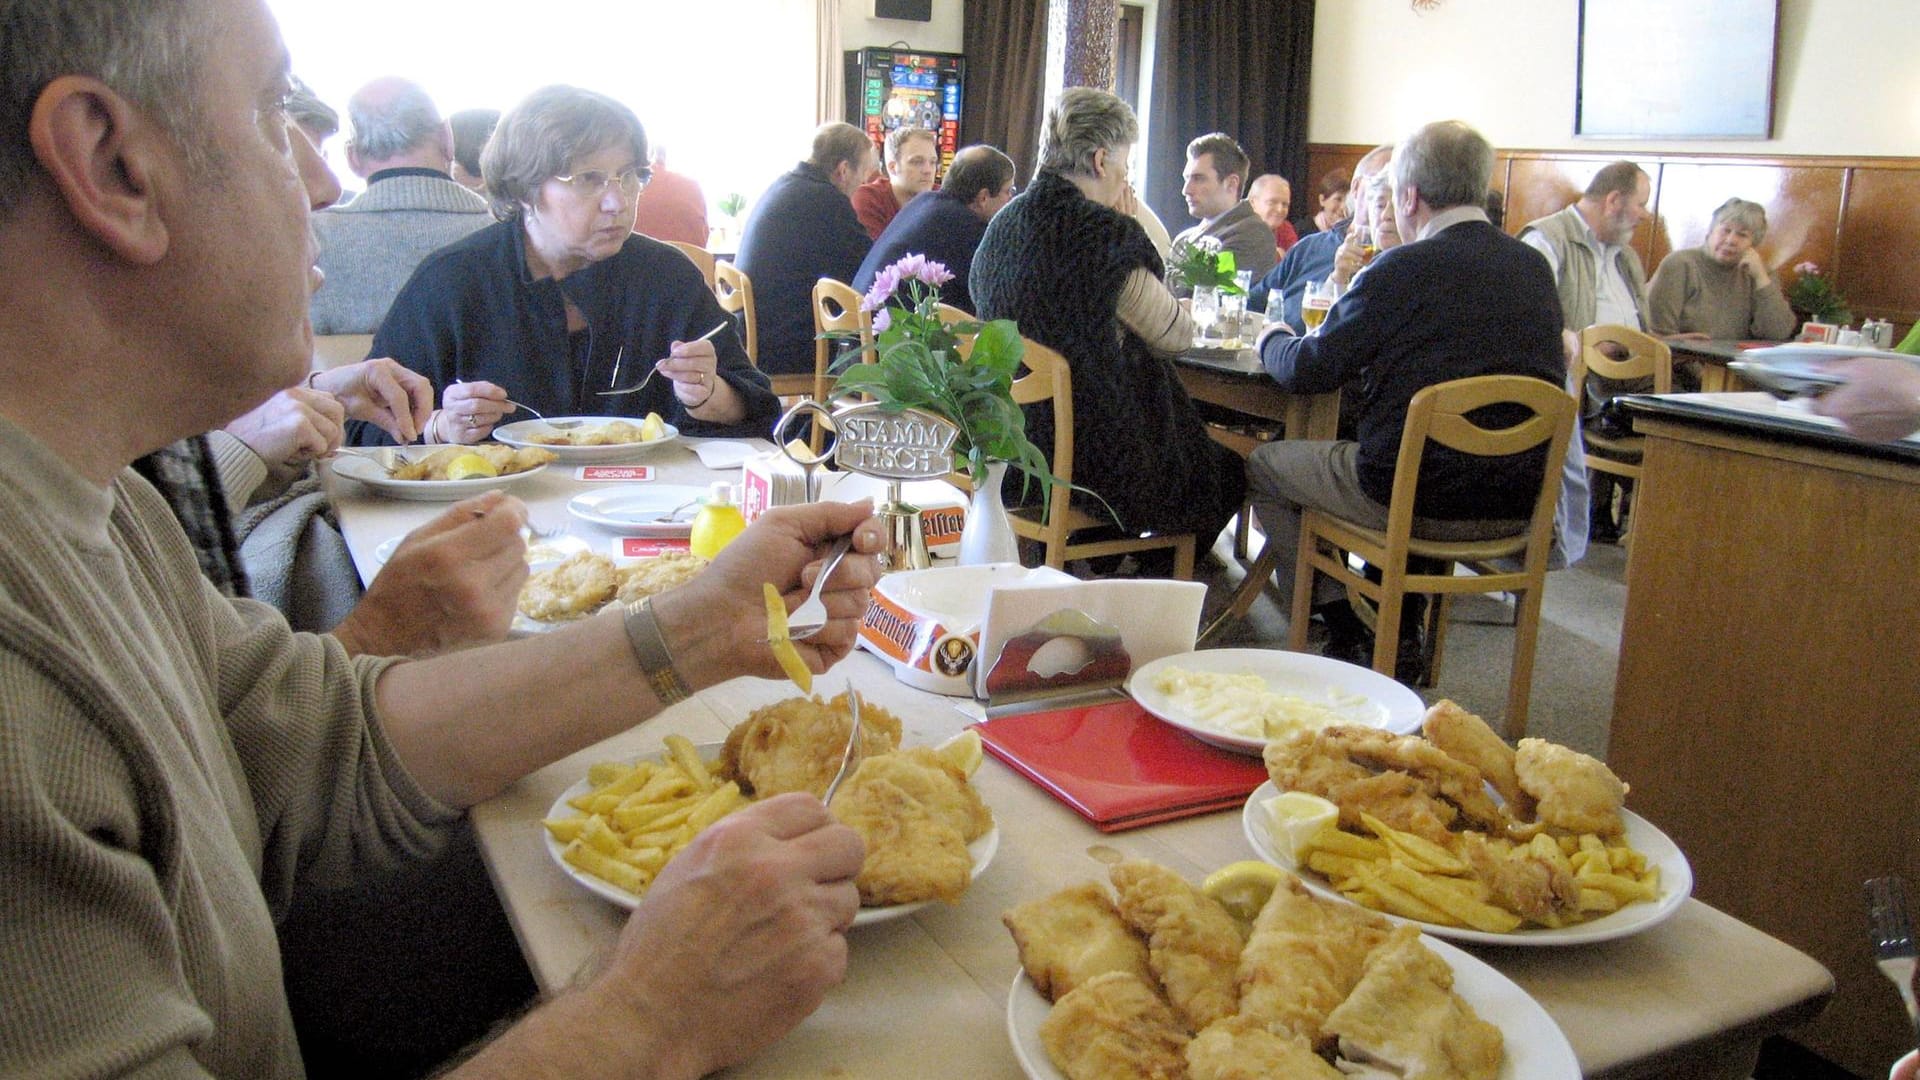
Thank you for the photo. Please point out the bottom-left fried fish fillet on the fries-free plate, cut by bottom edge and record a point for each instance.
(1115, 1027)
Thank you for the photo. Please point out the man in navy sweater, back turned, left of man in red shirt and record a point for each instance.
(805, 230)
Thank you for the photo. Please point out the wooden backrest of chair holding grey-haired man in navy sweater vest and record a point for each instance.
(1439, 414)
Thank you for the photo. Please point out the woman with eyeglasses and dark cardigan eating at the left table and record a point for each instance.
(562, 301)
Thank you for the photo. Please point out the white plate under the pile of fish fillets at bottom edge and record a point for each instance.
(1535, 1046)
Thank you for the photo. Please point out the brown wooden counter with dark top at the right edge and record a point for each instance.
(1767, 697)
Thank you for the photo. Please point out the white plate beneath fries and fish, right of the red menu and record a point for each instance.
(1677, 885)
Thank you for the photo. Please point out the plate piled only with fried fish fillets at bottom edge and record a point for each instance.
(1159, 979)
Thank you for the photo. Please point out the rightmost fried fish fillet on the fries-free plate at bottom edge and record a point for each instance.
(1406, 1018)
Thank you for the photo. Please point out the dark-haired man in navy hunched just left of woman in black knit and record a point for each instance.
(946, 226)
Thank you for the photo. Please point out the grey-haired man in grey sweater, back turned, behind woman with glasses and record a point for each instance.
(414, 207)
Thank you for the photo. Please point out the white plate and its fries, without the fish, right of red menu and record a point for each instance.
(1629, 883)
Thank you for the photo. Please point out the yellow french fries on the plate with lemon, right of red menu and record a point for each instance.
(1418, 879)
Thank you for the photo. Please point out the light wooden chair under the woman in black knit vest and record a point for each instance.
(1055, 522)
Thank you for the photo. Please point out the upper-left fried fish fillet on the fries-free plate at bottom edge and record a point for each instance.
(1072, 937)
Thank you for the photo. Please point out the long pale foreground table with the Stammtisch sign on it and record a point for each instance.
(926, 994)
